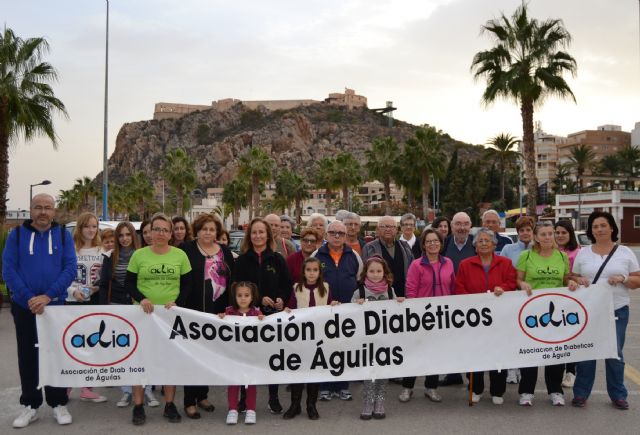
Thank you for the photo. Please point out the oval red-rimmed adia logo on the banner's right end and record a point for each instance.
(553, 318)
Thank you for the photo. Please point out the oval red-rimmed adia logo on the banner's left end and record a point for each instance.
(100, 339)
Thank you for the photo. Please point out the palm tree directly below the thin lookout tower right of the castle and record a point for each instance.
(382, 159)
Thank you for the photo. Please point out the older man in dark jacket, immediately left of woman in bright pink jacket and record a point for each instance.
(396, 253)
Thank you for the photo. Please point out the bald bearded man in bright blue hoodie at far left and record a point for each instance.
(38, 265)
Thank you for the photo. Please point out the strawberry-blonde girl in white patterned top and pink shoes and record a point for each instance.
(84, 289)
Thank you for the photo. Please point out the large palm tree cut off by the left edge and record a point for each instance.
(27, 101)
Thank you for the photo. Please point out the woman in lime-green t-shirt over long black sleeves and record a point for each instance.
(158, 274)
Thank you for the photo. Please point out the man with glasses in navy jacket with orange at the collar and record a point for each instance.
(341, 267)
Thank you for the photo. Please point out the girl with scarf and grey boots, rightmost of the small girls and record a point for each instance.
(375, 285)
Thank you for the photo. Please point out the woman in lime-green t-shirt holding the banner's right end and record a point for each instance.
(544, 266)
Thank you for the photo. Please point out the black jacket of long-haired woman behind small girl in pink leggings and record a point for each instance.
(271, 275)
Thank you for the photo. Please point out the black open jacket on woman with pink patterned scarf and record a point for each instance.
(201, 296)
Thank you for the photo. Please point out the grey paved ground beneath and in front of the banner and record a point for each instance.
(452, 416)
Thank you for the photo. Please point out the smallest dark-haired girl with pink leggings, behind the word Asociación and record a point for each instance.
(244, 298)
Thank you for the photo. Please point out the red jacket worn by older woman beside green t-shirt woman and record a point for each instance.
(471, 277)
